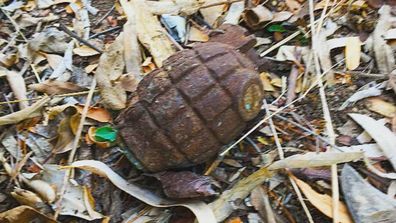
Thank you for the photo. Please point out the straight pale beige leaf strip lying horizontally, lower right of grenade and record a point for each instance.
(313, 159)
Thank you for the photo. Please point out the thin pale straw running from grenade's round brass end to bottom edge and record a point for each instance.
(281, 155)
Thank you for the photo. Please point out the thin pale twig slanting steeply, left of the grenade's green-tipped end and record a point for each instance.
(74, 147)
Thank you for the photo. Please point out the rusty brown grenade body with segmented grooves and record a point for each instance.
(187, 110)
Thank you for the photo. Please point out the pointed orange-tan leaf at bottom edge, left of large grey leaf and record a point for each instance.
(323, 202)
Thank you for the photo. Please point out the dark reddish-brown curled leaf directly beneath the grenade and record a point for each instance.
(185, 184)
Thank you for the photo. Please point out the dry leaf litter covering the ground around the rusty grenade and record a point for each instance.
(51, 52)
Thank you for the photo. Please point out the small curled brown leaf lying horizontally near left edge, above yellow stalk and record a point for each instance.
(56, 87)
